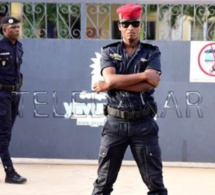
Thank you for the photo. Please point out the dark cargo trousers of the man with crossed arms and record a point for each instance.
(142, 137)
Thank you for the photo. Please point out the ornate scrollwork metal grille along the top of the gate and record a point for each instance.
(93, 20)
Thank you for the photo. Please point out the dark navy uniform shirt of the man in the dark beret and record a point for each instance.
(10, 61)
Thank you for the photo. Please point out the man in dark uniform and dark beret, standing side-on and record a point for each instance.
(10, 82)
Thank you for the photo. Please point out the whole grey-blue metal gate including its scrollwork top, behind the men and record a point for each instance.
(54, 67)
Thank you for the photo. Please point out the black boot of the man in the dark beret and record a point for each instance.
(13, 177)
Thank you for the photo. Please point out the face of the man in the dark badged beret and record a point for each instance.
(11, 31)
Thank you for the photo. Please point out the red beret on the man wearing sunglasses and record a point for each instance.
(129, 12)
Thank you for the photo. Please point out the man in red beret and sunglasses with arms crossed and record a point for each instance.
(131, 71)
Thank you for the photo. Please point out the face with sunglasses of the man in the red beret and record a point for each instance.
(130, 29)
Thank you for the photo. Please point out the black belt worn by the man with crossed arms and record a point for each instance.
(128, 114)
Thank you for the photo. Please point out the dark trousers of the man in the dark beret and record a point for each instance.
(9, 105)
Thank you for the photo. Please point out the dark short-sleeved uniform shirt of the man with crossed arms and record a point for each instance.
(146, 57)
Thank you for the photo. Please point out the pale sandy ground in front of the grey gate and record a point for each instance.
(73, 179)
